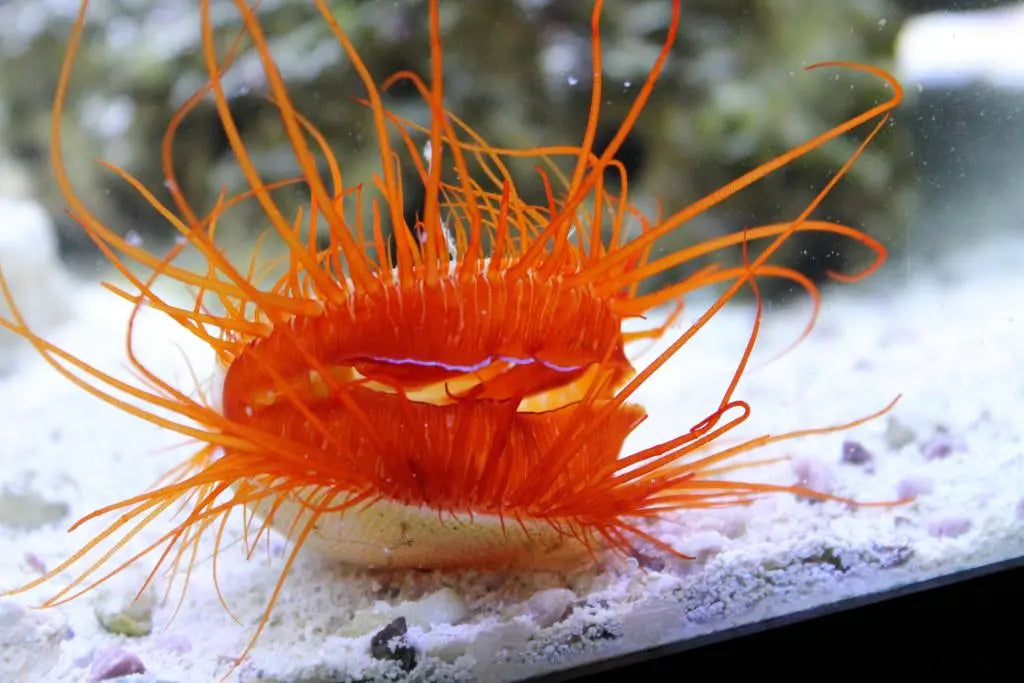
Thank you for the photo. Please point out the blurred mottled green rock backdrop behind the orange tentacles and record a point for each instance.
(734, 95)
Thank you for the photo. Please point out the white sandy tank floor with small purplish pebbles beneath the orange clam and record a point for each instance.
(947, 335)
